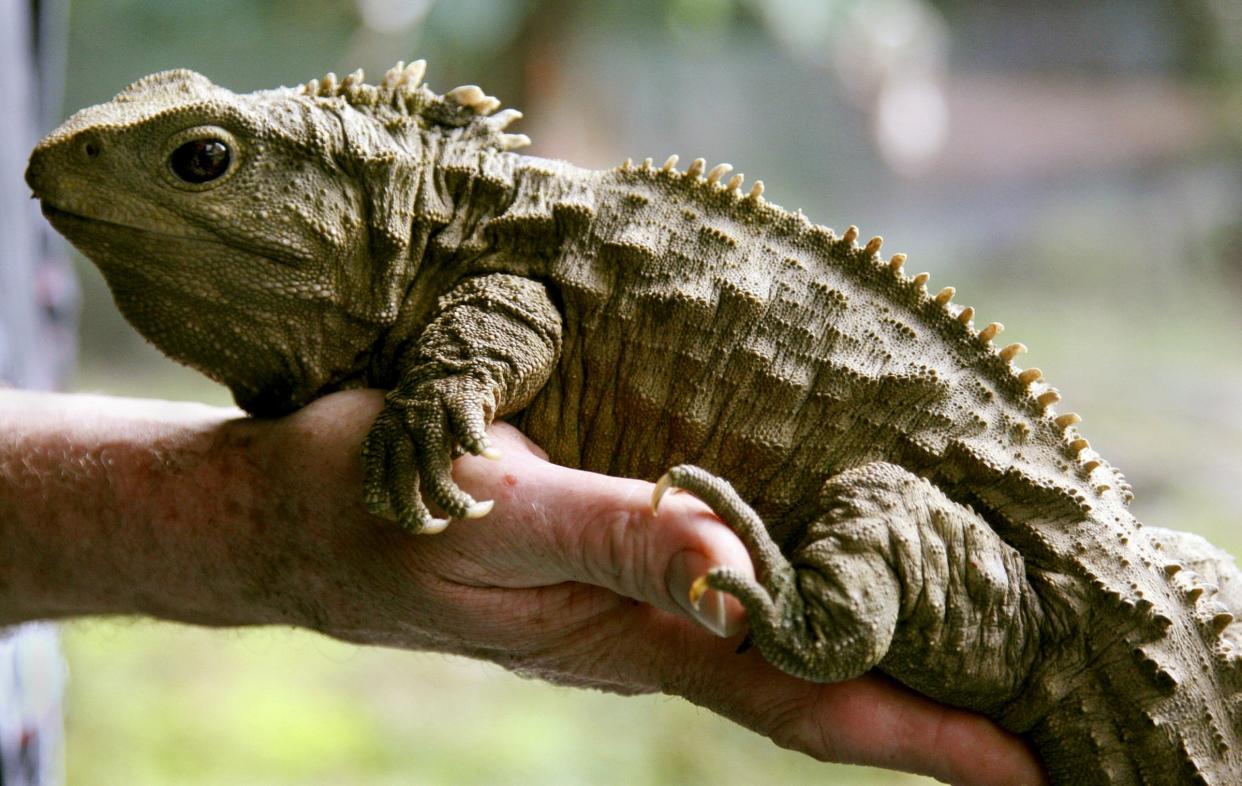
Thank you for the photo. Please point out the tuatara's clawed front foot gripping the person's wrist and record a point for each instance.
(410, 448)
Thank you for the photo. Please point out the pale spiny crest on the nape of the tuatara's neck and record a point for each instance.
(402, 93)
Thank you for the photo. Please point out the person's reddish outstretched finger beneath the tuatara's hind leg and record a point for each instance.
(870, 721)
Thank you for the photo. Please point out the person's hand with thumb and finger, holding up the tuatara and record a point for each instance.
(572, 579)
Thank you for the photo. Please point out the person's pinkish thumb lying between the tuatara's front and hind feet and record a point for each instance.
(560, 525)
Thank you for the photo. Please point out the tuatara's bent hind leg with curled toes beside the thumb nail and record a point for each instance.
(890, 574)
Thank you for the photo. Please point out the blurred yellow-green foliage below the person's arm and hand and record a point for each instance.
(161, 705)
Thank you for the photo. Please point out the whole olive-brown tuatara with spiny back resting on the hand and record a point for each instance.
(912, 501)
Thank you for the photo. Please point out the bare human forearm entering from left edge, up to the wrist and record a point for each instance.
(112, 506)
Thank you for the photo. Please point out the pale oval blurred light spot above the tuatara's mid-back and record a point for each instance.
(912, 124)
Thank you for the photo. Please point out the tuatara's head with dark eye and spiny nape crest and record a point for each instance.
(264, 238)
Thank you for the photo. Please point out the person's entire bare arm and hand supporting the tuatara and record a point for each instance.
(181, 512)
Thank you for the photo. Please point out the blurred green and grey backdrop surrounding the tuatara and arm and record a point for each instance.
(1072, 168)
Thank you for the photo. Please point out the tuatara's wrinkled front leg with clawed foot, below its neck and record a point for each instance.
(489, 351)
